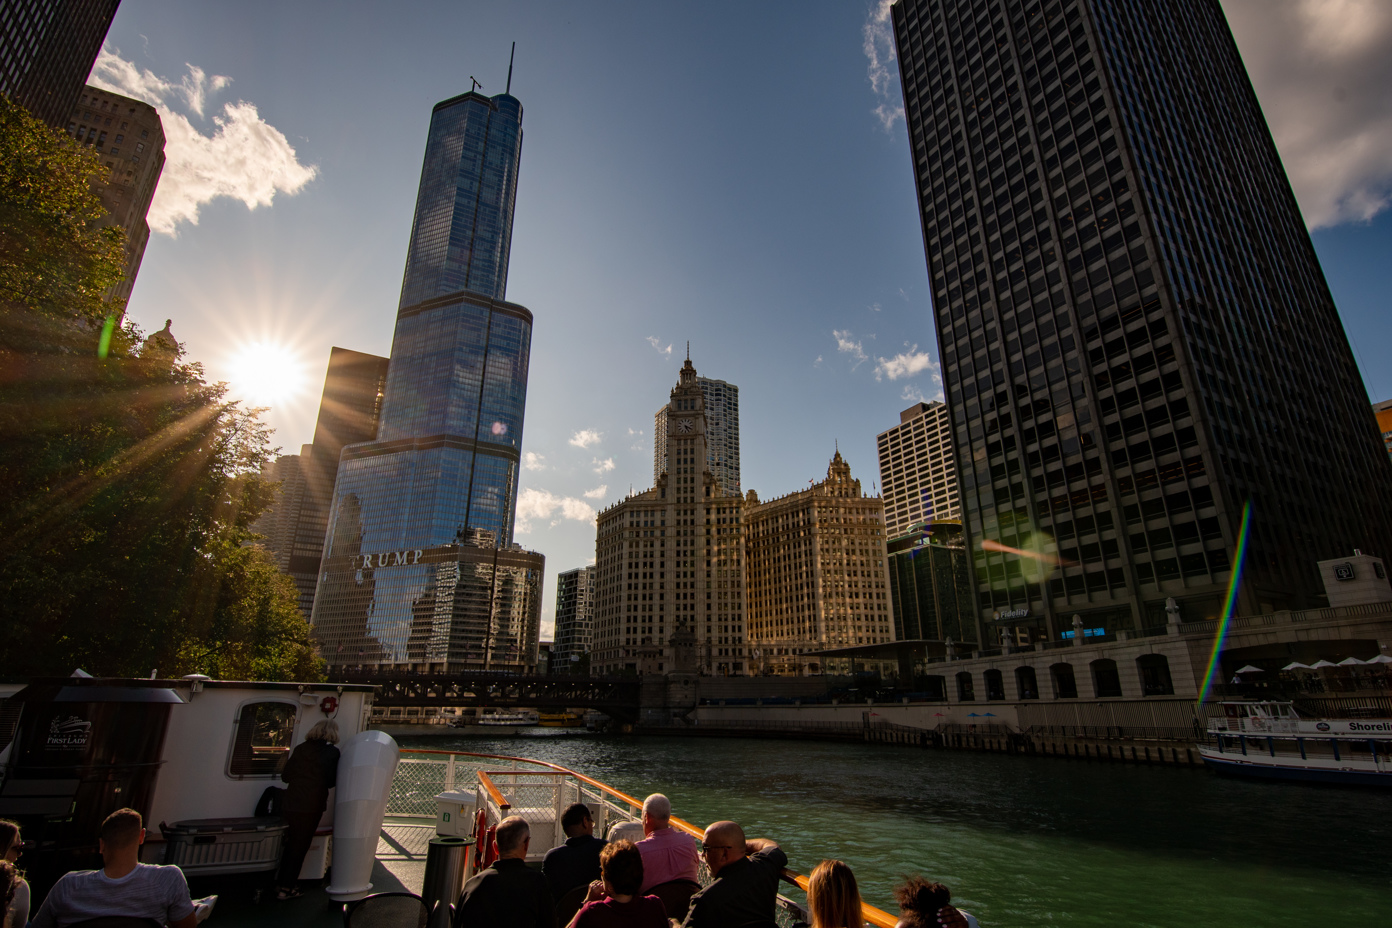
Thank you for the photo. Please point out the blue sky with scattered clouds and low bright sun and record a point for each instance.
(730, 175)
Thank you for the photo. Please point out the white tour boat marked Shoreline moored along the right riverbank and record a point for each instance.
(1269, 739)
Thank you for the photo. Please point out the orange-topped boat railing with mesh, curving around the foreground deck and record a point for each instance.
(539, 792)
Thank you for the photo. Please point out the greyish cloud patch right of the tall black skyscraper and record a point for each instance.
(1322, 70)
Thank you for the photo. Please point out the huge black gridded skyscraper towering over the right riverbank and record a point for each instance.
(1135, 332)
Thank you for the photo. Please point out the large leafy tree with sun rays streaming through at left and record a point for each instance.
(127, 483)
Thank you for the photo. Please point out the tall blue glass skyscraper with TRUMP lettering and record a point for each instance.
(442, 472)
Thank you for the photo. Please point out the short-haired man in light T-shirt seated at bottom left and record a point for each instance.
(125, 887)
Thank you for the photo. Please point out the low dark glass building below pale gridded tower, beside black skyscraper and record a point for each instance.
(932, 592)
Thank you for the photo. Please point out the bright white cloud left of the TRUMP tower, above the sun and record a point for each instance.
(246, 158)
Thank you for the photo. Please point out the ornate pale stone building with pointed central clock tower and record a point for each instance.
(670, 573)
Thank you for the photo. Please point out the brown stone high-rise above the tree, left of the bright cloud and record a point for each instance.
(129, 137)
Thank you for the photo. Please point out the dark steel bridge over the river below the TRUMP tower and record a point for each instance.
(613, 696)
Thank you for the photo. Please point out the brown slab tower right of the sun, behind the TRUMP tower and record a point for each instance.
(350, 410)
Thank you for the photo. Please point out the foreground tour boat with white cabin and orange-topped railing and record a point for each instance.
(197, 755)
